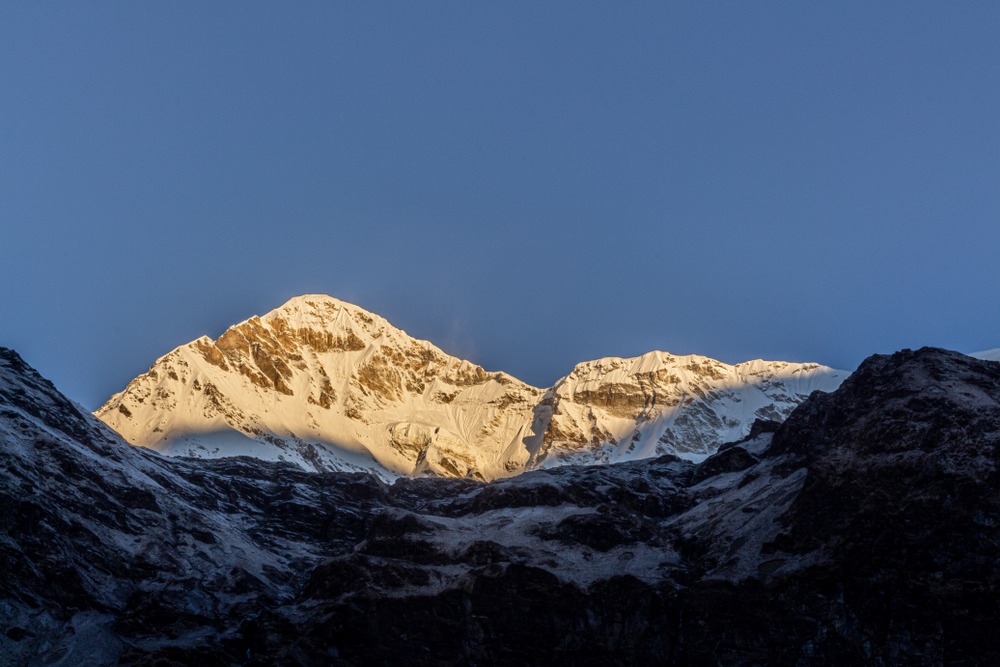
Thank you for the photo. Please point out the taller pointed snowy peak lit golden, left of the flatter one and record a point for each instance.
(327, 385)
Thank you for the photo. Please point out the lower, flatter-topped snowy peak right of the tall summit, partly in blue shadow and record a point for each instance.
(620, 409)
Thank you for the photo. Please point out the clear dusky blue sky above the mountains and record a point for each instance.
(526, 184)
